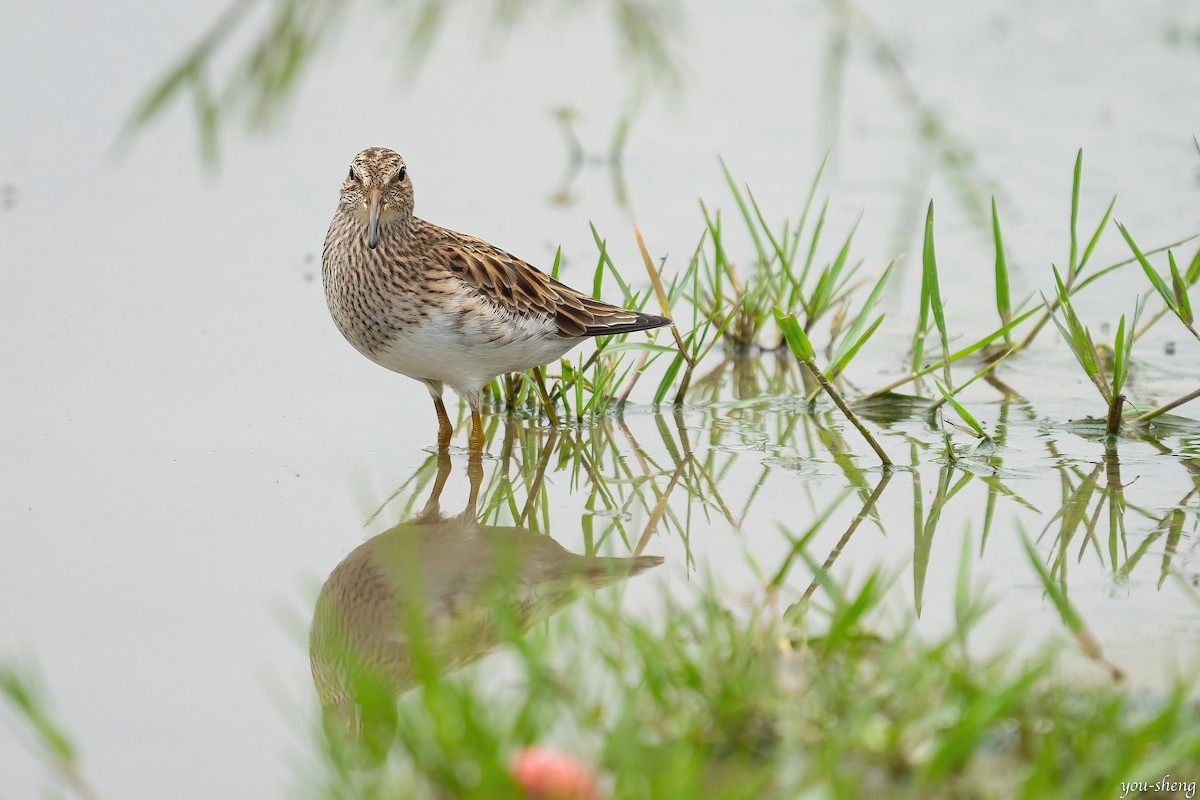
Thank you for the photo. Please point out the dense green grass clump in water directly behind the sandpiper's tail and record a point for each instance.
(723, 309)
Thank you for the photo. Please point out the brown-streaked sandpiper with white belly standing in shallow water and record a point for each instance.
(440, 306)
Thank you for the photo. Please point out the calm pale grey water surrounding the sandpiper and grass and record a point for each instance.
(190, 448)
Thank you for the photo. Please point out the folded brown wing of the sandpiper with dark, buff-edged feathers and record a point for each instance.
(520, 288)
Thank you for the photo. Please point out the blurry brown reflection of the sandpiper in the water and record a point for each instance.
(433, 596)
